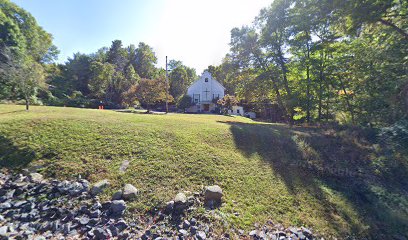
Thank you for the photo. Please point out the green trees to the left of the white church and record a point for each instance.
(115, 76)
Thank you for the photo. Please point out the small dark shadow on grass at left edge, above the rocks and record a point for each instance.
(14, 157)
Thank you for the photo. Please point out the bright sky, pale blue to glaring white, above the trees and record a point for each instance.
(197, 32)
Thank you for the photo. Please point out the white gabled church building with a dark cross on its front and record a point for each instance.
(203, 92)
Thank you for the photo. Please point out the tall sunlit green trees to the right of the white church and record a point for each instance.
(323, 60)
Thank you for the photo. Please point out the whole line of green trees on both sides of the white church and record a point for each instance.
(313, 60)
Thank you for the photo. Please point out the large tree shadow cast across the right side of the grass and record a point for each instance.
(308, 159)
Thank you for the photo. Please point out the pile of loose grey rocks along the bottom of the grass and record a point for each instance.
(32, 207)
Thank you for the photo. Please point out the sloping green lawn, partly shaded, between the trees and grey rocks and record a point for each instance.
(321, 179)
